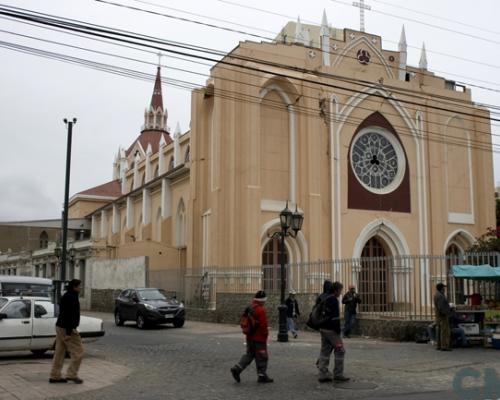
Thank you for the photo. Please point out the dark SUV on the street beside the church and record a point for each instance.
(148, 306)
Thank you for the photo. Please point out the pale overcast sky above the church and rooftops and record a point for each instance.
(461, 37)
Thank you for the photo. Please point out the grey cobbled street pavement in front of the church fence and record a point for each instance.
(193, 363)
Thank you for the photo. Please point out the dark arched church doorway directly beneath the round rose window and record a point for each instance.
(374, 277)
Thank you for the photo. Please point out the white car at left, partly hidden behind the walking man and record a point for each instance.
(28, 323)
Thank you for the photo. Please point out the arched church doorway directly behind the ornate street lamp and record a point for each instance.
(271, 266)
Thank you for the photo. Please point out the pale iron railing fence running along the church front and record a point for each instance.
(398, 287)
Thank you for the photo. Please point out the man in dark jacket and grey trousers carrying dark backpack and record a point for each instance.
(330, 337)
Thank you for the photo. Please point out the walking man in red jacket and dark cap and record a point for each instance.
(256, 343)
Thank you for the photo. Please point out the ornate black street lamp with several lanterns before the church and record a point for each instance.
(290, 224)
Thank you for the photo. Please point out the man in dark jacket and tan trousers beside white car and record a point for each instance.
(67, 337)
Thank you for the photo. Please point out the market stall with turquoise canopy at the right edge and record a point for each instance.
(481, 313)
